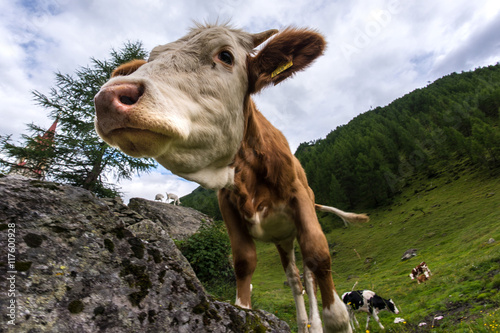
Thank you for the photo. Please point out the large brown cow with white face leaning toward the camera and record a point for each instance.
(189, 106)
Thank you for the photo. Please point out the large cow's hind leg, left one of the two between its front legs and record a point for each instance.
(287, 256)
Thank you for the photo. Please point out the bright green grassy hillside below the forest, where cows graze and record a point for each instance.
(450, 220)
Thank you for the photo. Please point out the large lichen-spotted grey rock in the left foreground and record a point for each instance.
(82, 264)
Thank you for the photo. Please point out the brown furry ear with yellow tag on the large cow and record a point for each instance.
(290, 51)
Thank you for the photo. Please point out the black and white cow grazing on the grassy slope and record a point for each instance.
(369, 302)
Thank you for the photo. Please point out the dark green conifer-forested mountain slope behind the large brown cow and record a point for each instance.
(365, 163)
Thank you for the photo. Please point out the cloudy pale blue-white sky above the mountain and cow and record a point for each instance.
(377, 52)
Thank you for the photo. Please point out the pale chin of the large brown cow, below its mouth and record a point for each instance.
(139, 142)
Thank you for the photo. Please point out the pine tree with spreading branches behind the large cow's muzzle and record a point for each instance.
(77, 155)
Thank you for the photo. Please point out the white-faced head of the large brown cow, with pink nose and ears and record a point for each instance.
(185, 105)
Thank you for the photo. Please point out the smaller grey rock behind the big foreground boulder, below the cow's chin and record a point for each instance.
(180, 222)
